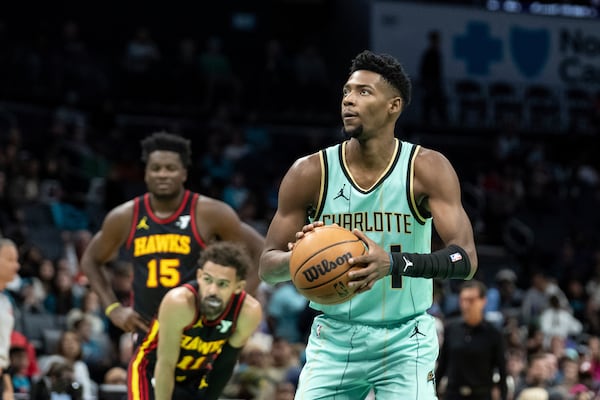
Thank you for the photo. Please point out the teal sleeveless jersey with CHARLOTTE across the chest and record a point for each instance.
(388, 214)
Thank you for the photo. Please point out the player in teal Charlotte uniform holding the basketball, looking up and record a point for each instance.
(391, 193)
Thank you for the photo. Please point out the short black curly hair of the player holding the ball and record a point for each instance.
(389, 68)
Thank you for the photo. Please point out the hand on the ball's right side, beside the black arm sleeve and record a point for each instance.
(376, 265)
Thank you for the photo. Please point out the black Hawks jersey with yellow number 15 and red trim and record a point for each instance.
(164, 252)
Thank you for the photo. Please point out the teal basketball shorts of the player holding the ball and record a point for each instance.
(344, 360)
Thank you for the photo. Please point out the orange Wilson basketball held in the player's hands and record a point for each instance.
(319, 264)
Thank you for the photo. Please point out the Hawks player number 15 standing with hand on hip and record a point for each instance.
(163, 231)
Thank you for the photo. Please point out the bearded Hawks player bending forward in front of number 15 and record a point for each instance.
(192, 347)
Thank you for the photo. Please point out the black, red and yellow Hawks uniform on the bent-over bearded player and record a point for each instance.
(201, 343)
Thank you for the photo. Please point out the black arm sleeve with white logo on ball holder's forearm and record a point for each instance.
(451, 262)
